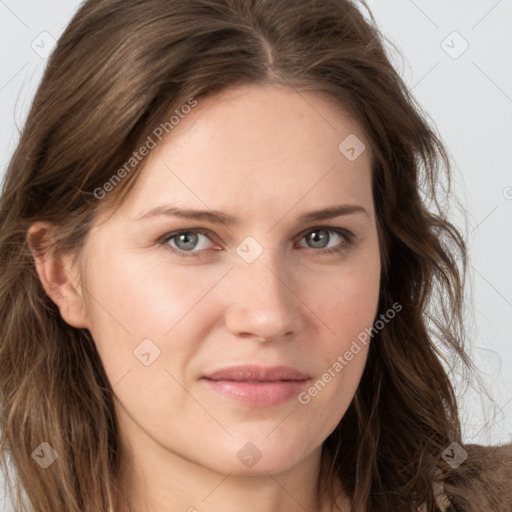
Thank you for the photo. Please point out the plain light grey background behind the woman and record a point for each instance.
(468, 95)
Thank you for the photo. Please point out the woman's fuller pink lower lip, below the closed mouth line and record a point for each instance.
(263, 394)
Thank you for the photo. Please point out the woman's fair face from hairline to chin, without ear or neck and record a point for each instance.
(269, 288)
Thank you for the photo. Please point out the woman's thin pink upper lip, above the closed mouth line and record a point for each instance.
(258, 374)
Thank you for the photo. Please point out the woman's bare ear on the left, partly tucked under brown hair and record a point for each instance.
(59, 275)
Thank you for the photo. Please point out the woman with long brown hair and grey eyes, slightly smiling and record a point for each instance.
(175, 333)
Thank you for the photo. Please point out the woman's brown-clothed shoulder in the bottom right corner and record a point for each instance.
(483, 482)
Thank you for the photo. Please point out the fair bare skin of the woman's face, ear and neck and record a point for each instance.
(266, 155)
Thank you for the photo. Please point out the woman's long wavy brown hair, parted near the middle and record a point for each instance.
(118, 71)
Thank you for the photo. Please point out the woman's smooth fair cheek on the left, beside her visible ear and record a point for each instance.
(133, 299)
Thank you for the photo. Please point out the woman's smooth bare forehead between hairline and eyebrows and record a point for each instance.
(255, 148)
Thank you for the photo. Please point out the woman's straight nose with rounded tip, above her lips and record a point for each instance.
(261, 302)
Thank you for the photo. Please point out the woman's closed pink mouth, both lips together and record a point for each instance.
(257, 386)
